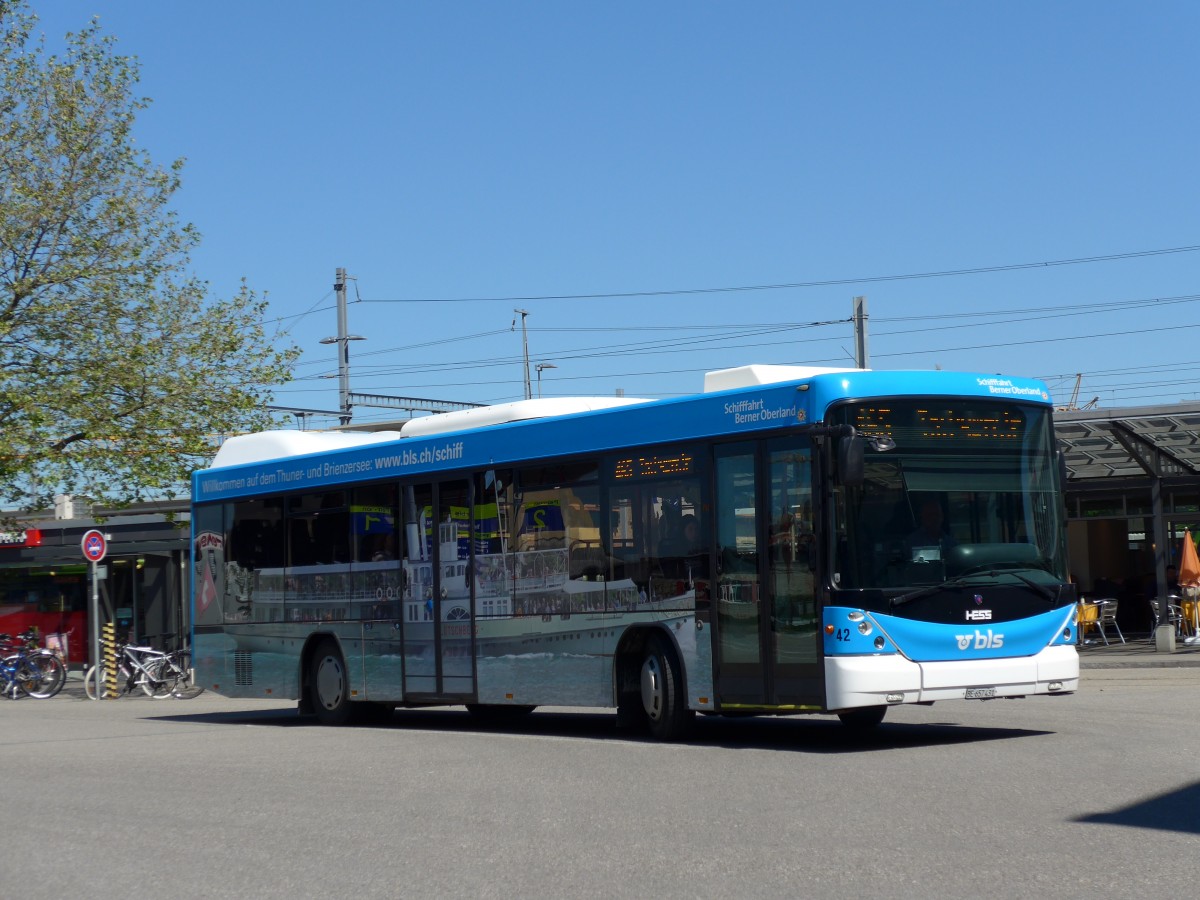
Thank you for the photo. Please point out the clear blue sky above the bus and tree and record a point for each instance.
(443, 152)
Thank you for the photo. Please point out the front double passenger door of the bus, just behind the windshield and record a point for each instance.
(767, 653)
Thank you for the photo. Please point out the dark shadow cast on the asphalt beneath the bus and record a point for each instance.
(806, 735)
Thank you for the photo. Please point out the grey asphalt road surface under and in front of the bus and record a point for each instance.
(1096, 795)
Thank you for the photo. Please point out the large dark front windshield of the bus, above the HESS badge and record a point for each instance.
(953, 489)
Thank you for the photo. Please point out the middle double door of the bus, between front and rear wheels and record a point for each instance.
(439, 621)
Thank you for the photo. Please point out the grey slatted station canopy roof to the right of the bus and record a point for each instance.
(1133, 442)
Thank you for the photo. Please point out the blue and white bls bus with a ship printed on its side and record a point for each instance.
(791, 541)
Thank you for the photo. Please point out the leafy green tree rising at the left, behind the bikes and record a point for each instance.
(117, 368)
